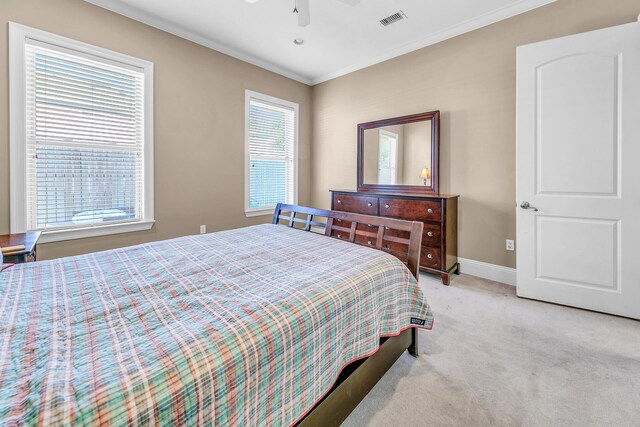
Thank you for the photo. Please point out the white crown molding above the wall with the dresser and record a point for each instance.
(448, 33)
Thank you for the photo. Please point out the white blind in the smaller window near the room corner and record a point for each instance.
(271, 154)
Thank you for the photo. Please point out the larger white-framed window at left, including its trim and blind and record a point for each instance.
(81, 138)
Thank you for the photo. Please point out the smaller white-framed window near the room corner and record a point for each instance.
(271, 151)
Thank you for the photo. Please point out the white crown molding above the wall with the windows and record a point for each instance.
(161, 24)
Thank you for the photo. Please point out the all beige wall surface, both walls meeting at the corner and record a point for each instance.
(199, 114)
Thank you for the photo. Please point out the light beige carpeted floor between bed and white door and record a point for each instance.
(493, 359)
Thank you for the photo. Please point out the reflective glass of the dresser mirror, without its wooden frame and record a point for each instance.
(398, 155)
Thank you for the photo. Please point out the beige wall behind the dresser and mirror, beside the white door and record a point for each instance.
(471, 80)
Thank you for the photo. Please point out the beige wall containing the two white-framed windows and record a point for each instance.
(199, 120)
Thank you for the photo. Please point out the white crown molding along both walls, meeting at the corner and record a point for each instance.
(448, 33)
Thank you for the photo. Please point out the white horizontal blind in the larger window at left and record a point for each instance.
(84, 139)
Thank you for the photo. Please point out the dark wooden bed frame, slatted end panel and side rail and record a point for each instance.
(397, 237)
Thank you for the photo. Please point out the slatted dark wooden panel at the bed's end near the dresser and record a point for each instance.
(398, 237)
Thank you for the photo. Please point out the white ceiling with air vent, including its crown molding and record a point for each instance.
(340, 39)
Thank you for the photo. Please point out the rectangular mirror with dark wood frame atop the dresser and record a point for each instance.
(399, 155)
